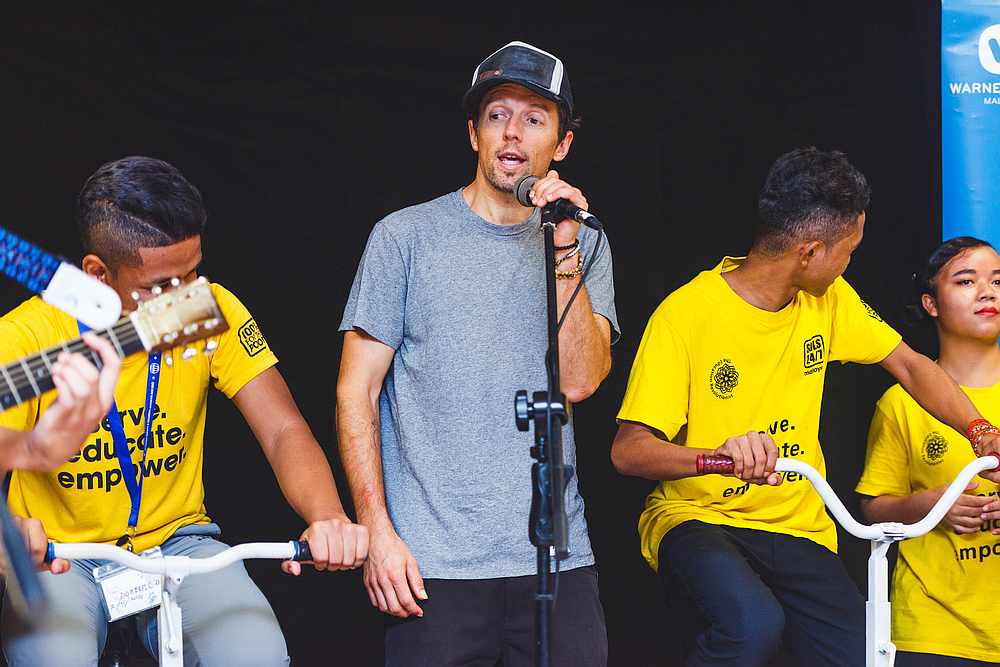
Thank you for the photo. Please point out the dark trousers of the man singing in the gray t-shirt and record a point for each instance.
(489, 622)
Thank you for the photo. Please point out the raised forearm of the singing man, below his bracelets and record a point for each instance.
(584, 351)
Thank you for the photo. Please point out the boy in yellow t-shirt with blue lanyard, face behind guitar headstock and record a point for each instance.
(141, 223)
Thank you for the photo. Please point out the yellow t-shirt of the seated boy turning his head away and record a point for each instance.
(712, 361)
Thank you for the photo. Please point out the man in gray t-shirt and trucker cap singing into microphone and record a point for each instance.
(446, 320)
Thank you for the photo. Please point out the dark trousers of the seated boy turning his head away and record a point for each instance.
(746, 591)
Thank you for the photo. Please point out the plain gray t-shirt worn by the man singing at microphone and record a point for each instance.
(462, 301)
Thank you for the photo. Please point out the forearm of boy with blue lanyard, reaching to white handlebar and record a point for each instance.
(304, 475)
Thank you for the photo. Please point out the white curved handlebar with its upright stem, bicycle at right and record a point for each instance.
(879, 649)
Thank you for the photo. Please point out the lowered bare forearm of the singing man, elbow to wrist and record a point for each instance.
(361, 455)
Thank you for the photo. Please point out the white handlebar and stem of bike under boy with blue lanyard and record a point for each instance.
(174, 569)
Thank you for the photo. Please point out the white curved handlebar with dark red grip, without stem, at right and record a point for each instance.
(879, 531)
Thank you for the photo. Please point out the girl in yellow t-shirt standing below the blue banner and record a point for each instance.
(946, 583)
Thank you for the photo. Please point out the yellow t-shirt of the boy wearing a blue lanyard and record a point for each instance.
(85, 499)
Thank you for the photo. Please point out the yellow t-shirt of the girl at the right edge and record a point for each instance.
(945, 585)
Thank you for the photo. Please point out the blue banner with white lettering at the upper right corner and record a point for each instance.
(970, 118)
